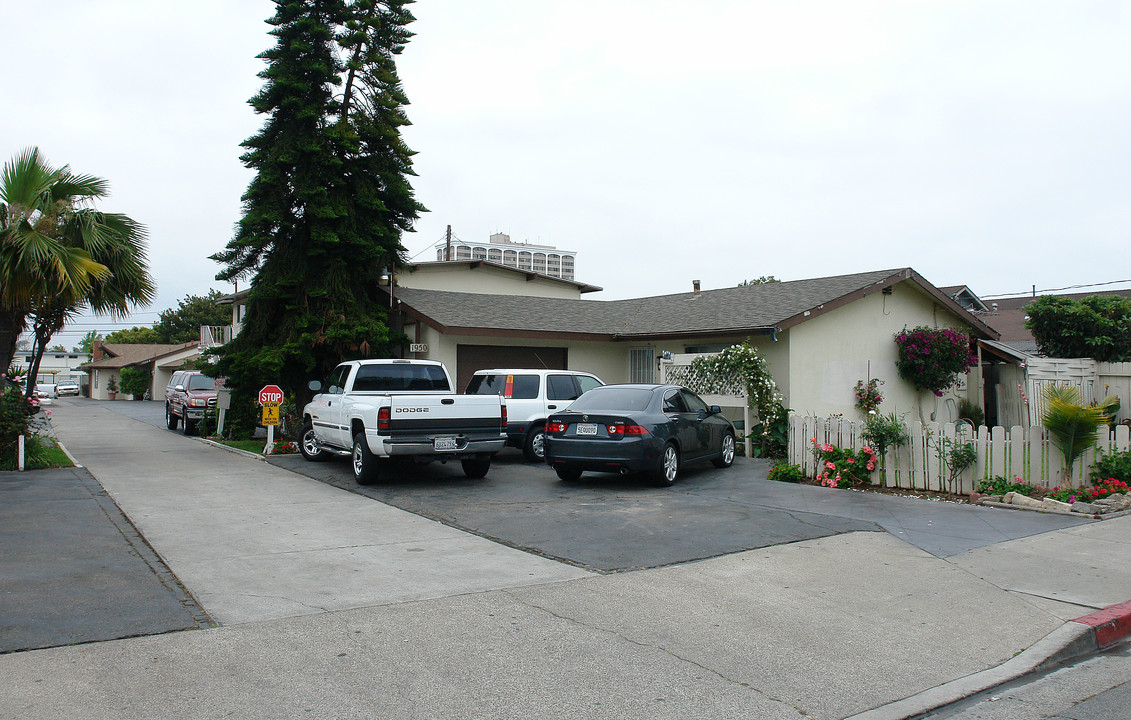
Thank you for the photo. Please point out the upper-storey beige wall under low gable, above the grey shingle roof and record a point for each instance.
(485, 280)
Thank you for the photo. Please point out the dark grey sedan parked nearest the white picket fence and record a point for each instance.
(637, 429)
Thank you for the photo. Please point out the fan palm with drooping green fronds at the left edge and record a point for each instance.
(59, 256)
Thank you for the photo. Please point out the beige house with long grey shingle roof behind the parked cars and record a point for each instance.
(821, 336)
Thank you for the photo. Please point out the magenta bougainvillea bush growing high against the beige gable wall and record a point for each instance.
(931, 359)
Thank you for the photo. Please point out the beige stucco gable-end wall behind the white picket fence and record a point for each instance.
(830, 353)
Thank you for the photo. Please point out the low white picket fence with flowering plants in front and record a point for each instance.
(1017, 453)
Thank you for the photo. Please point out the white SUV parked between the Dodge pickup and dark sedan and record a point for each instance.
(532, 396)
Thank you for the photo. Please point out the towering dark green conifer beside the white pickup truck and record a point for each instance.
(326, 211)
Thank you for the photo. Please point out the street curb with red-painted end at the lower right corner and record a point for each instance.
(1076, 638)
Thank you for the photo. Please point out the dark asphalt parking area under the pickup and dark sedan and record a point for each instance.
(611, 523)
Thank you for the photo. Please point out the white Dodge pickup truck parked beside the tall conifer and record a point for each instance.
(377, 410)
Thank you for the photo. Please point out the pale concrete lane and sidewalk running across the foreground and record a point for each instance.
(334, 605)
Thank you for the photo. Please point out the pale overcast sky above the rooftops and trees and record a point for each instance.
(980, 143)
